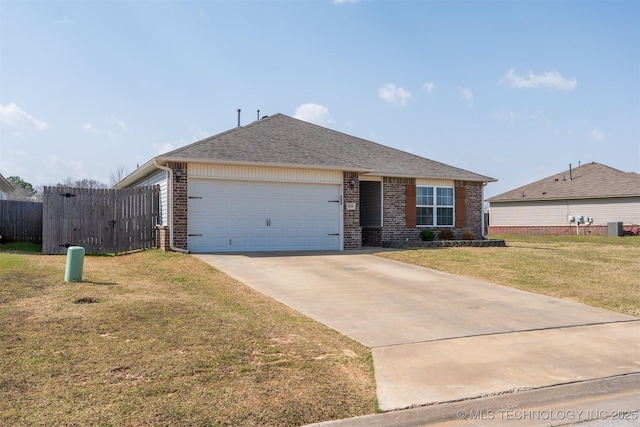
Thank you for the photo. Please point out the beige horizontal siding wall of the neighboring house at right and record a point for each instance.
(555, 212)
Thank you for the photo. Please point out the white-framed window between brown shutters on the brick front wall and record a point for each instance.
(434, 206)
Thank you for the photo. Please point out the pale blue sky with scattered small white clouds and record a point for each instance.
(515, 90)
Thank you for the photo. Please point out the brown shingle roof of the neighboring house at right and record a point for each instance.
(589, 181)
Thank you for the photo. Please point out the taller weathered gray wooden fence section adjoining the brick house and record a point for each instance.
(100, 220)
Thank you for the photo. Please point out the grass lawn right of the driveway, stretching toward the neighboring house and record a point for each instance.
(595, 270)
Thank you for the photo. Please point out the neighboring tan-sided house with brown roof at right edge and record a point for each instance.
(591, 190)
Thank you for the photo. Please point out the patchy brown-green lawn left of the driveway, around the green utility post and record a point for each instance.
(156, 338)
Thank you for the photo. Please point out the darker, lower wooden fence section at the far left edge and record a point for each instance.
(20, 221)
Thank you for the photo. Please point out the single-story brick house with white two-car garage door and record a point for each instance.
(284, 184)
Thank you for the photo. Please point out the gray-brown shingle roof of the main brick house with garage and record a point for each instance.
(283, 140)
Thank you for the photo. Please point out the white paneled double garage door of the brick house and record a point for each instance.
(239, 216)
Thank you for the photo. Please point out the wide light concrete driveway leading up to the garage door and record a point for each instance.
(438, 337)
